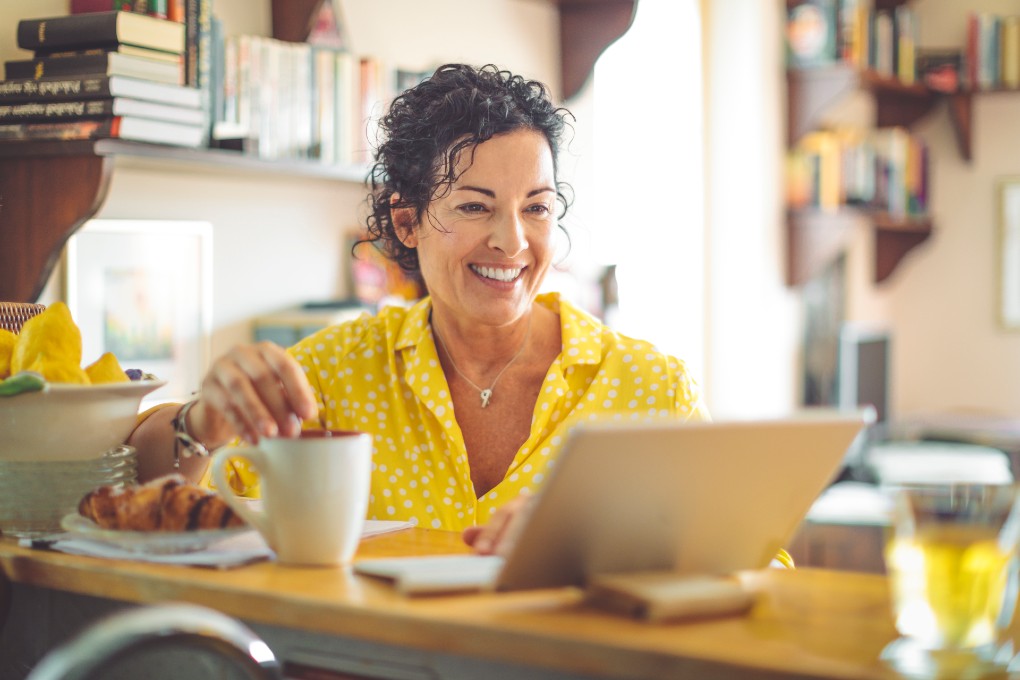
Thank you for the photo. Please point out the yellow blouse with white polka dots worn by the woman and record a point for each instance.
(382, 376)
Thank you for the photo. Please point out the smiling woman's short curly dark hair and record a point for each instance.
(431, 125)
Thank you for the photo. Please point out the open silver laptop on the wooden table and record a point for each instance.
(706, 498)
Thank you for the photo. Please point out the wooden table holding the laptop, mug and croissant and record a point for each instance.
(806, 623)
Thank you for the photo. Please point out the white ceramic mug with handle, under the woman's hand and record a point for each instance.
(315, 494)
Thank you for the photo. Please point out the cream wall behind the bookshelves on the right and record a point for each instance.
(949, 352)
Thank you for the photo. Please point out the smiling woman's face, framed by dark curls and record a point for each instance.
(486, 245)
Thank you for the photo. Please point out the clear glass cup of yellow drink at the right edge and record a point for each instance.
(951, 560)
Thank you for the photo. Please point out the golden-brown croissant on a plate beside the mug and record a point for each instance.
(167, 504)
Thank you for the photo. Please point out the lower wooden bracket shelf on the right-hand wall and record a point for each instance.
(815, 239)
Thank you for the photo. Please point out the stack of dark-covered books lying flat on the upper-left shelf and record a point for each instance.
(101, 75)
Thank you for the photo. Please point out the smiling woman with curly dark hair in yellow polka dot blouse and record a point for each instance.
(470, 394)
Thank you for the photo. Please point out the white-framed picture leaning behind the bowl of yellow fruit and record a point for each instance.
(142, 290)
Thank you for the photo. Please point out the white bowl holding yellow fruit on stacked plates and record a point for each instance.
(70, 423)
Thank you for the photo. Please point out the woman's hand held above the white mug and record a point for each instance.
(253, 391)
